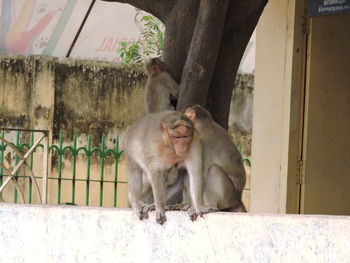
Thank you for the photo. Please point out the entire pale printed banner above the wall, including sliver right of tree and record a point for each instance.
(49, 27)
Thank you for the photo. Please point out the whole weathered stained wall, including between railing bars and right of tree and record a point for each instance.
(88, 97)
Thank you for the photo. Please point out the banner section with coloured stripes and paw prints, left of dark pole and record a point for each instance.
(36, 26)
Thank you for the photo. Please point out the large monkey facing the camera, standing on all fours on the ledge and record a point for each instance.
(153, 145)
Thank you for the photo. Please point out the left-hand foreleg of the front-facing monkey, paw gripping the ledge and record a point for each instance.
(159, 193)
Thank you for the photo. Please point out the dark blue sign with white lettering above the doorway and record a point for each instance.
(328, 7)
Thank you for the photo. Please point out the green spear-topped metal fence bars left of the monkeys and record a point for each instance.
(59, 152)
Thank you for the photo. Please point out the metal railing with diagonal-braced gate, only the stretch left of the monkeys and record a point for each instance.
(57, 154)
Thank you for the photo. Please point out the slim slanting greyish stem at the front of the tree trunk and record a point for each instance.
(200, 63)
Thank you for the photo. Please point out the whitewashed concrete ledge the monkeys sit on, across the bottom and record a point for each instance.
(85, 234)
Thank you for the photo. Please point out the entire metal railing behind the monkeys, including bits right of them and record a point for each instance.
(62, 161)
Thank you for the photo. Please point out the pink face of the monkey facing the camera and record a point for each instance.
(181, 138)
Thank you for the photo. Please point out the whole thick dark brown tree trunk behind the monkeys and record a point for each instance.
(203, 46)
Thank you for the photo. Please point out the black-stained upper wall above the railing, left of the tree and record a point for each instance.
(72, 96)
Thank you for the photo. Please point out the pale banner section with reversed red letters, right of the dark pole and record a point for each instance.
(108, 24)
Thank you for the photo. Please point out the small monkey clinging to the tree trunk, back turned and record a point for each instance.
(161, 90)
